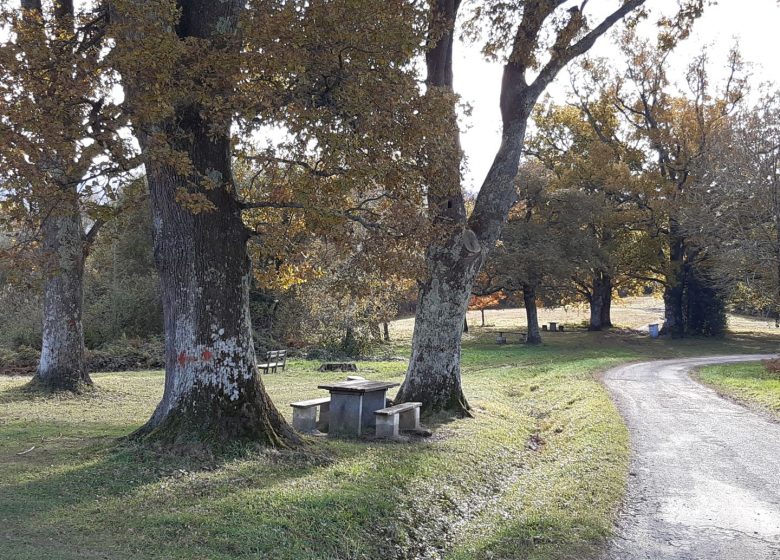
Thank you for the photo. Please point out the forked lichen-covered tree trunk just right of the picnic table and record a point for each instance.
(433, 376)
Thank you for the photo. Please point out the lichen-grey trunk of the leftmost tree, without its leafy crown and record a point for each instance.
(62, 364)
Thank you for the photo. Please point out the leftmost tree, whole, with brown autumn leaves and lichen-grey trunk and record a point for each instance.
(60, 138)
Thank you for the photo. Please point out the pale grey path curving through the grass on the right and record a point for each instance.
(705, 472)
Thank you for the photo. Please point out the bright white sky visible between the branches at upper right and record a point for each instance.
(755, 24)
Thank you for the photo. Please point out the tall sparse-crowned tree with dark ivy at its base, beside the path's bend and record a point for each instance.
(678, 129)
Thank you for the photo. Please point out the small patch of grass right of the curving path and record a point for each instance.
(747, 383)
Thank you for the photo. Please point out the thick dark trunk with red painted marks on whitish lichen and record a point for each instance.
(213, 392)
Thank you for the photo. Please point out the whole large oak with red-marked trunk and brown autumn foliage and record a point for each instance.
(207, 83)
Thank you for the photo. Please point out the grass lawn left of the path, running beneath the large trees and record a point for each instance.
(537, 473)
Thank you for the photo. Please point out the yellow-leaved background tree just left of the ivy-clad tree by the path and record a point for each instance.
(606, 194)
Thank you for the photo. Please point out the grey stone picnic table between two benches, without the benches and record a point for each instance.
(353, 403)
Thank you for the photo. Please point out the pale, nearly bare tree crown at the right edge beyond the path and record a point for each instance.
(734, 208)
